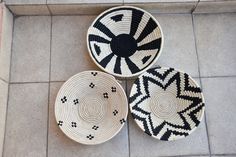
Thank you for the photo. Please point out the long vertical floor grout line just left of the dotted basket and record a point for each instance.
(49, 85)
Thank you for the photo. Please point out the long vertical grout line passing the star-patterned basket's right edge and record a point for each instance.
(199, 72)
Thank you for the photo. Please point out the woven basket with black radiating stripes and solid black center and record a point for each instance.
(125, 41)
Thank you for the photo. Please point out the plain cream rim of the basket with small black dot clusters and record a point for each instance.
(122, 92)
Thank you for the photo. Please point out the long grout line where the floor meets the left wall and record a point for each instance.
(8, 93)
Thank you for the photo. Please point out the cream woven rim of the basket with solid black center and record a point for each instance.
(141, 71)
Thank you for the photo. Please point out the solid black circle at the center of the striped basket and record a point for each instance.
(123, 45)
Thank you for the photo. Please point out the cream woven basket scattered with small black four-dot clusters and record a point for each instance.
(91, 107)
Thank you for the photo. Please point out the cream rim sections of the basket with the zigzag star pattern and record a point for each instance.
(203, 101)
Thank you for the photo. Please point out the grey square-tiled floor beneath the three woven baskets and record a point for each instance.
(46, 51)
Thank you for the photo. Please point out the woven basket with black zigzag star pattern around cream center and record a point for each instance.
(166, 104)
